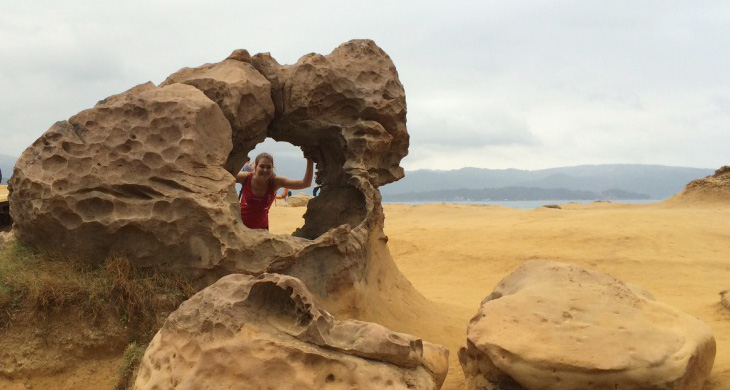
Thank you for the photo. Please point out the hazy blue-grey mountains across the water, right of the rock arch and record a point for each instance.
(614, 181)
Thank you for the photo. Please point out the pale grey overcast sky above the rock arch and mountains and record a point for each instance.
(491, 84)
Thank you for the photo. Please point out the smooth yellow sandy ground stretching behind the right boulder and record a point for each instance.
(455, 254)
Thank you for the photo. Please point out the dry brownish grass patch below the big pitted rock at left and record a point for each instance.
(39, 283)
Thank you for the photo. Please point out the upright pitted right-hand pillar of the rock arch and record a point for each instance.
(352, 103)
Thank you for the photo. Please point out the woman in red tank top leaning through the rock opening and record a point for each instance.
(259, 189)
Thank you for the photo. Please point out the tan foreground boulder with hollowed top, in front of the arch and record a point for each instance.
(246, 332)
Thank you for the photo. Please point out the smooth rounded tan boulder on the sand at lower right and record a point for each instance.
(556, 326)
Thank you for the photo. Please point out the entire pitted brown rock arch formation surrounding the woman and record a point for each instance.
(147, 173)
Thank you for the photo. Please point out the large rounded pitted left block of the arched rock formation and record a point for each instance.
(141, 174)
